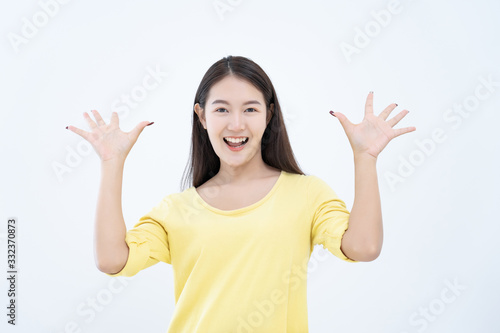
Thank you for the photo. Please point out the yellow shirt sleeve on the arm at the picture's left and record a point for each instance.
(147, 242)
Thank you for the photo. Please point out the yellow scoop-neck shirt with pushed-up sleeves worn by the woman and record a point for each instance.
(243, 270)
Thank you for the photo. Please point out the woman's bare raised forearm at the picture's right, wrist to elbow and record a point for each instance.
(363, 239)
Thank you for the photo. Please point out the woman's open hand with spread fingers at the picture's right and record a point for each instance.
(374, 132)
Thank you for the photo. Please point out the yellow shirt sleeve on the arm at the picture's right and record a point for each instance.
(330, 217)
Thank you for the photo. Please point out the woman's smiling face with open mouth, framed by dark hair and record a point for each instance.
(235, 109)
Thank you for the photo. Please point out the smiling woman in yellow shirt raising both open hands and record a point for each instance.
(240, 238)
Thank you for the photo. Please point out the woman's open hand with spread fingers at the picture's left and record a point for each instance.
(109, 141)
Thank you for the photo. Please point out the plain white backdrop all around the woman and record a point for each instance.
(440, 210)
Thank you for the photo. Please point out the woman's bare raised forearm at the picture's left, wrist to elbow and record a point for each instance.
(111, 250)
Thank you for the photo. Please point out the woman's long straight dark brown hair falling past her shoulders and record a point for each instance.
(275, 145)
